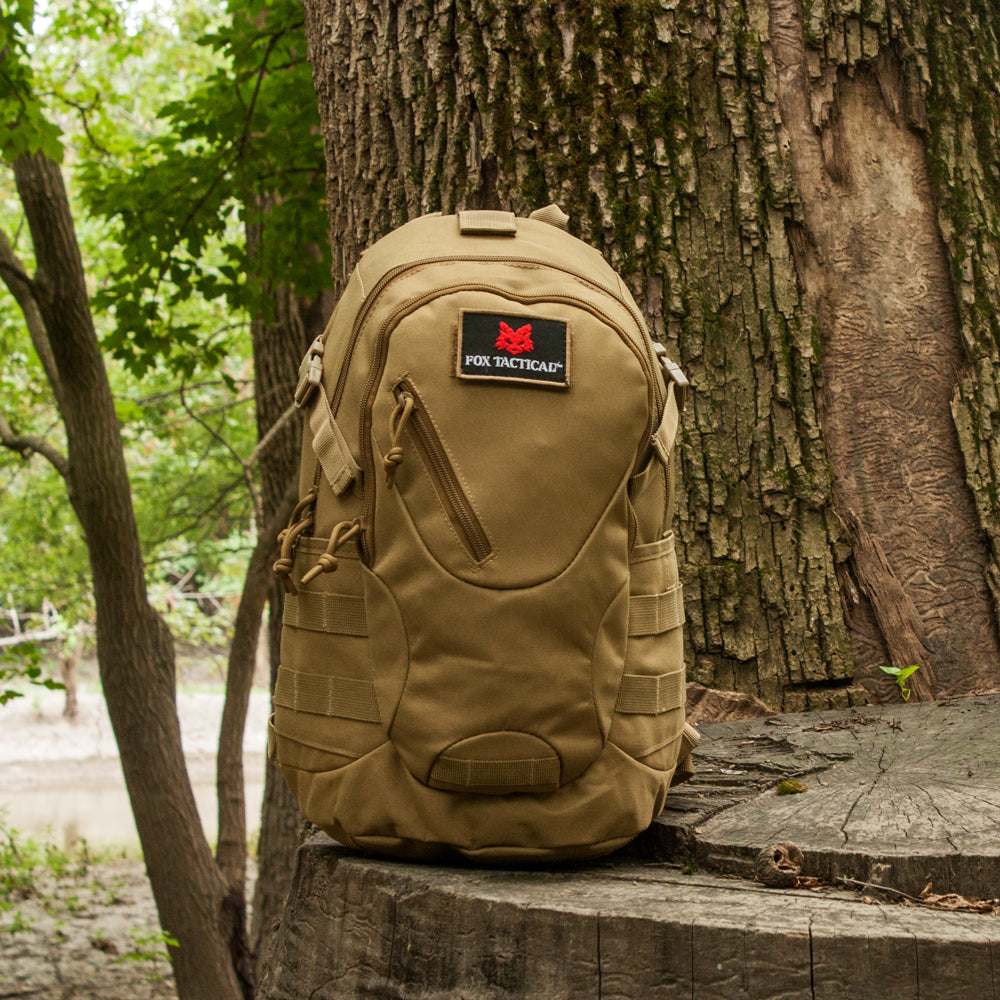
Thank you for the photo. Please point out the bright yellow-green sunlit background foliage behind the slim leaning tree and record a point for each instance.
(88, 85)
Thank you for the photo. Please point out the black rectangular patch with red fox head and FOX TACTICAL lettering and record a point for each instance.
(508, 348)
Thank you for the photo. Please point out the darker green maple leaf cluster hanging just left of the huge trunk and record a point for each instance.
(240, 151)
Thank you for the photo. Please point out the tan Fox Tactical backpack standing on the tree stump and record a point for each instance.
(482, 649)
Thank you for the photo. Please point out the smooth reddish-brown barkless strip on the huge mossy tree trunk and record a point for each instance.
(875, 270)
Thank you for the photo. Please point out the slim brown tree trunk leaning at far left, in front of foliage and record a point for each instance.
(134, 647)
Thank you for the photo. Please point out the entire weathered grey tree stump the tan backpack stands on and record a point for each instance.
(895, 797)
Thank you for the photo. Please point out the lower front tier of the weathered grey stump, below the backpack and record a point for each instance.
(363, 928)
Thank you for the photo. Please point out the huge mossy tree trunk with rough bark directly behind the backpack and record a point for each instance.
(804, 206)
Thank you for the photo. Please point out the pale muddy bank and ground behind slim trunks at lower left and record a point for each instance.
(82, 925)
